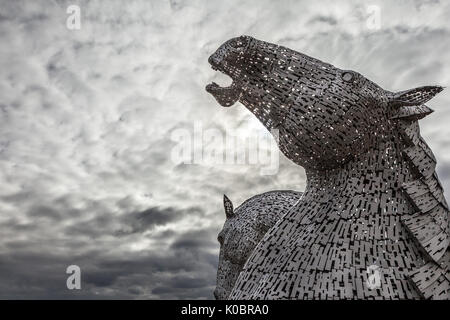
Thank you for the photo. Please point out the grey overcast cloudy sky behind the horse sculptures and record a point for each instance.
(87, 119)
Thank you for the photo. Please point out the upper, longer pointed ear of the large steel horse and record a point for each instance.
(414, 97)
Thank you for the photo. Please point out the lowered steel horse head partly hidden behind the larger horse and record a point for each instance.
(243, 229)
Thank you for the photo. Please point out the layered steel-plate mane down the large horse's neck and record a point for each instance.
(429, 225)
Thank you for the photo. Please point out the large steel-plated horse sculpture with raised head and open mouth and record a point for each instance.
(373, 199)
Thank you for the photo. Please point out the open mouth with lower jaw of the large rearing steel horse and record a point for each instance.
(227, 95)
